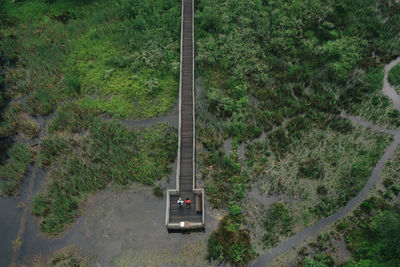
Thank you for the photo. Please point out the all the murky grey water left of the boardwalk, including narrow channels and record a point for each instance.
(116, 227)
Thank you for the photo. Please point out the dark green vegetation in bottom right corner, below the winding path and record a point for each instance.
(371, 234)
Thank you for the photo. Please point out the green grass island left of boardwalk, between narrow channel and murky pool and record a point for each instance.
(108, 154)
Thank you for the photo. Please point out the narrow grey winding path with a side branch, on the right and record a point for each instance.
(323, 224)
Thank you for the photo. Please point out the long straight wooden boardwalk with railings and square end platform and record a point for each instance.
(181, 217)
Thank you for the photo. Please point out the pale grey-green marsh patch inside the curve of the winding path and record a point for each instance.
(344, 163)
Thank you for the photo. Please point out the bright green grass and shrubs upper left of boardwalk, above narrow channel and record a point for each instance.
(121, 59)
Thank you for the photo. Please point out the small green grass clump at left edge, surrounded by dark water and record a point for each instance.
(12, 172)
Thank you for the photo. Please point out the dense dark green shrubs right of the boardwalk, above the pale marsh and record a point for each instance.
(293, 57)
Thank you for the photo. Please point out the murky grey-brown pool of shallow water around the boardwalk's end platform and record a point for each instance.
(123, 228)
